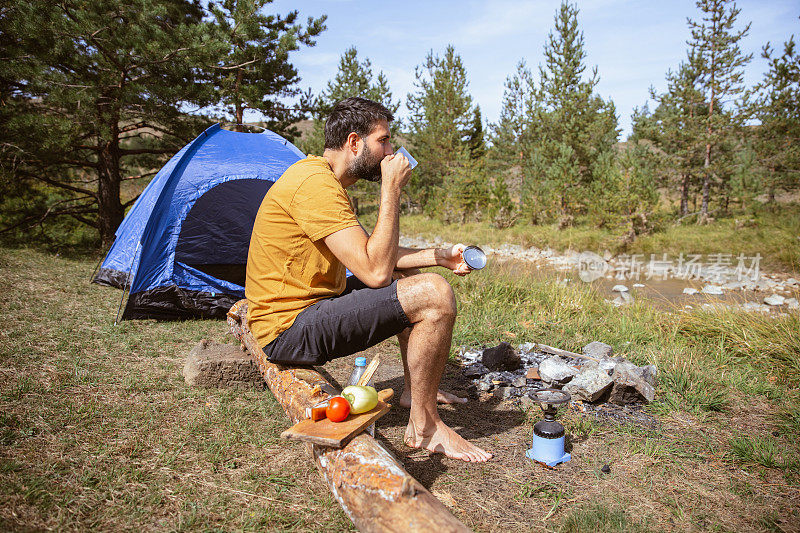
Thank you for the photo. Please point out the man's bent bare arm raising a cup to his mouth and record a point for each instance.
(372, 258)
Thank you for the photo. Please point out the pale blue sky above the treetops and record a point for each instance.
(633, 43)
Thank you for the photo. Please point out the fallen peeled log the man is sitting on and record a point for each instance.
(369, 483)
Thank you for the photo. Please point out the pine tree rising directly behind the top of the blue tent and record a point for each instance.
(255, 72)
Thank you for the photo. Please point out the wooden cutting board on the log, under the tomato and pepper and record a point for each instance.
(337, 434)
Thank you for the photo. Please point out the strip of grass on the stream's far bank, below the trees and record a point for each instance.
(772, 234)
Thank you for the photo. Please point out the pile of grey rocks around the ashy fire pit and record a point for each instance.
(597, 377)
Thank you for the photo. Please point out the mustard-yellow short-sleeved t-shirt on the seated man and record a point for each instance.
(288, 265)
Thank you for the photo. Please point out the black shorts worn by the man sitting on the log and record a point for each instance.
(342, 325)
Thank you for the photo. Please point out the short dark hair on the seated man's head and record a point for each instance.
(353, 114)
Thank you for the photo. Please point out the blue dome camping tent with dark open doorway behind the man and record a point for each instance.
(182, 248)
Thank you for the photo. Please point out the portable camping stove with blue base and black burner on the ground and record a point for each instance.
(548, 434)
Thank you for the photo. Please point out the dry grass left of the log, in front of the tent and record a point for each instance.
(98, 430)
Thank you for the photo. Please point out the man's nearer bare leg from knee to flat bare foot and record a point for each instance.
(429, 303)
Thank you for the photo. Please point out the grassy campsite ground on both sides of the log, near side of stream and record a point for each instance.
(99, 431)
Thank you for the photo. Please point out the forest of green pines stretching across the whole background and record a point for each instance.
(90, 113)
